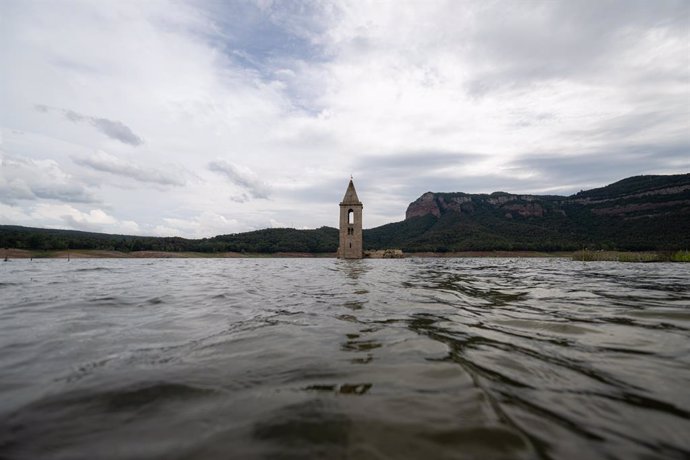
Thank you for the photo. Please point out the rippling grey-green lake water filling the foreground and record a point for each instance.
(320, 358)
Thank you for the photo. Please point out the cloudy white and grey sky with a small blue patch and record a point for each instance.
(201, 118)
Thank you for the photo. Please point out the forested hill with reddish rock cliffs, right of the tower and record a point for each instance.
(637, 213)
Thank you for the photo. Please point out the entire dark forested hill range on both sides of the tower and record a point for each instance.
(637, 213)
